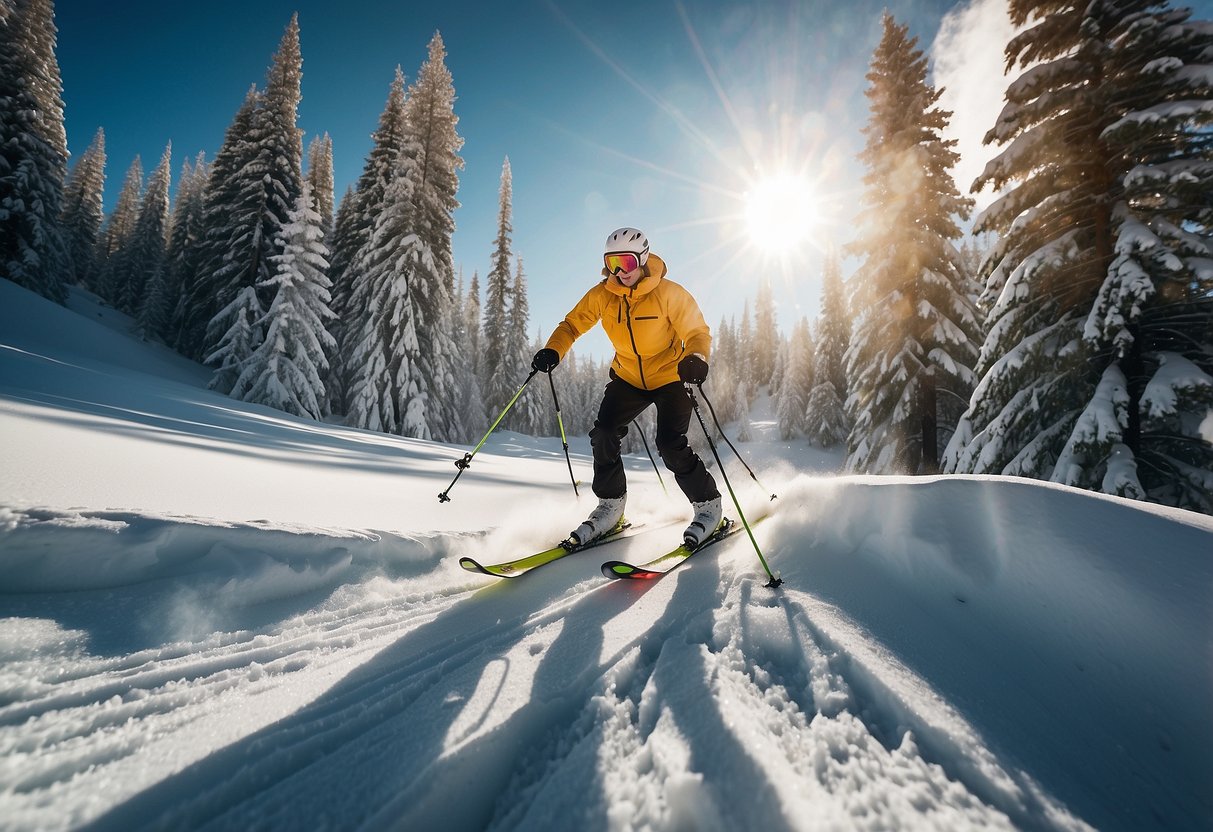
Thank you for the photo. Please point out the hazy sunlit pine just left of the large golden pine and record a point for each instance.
(825, 421)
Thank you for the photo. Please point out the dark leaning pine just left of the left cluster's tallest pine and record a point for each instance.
(230, 201)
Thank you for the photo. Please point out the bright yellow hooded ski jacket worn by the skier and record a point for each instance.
(652, 326)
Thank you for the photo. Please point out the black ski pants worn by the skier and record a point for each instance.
(623, 403)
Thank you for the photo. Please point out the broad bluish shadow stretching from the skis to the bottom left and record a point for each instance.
(374, 748)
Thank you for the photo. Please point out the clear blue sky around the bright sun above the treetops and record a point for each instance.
(653, 115)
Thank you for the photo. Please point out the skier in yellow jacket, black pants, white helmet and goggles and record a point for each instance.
(662, 344)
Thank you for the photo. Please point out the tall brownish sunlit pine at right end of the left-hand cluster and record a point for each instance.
(435, 145)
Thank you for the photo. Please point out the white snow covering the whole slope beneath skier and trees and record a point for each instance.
(217, 614)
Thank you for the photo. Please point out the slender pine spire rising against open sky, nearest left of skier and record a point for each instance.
(499, 380)
